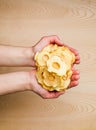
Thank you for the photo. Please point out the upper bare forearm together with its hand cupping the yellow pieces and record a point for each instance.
(24, 56)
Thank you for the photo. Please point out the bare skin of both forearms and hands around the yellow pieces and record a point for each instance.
(24, 56)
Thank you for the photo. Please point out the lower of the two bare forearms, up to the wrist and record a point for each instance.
(14, 82)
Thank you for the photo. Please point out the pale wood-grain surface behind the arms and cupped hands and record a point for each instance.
(24, 22)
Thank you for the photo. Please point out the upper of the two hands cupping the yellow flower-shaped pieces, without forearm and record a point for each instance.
(46, 40)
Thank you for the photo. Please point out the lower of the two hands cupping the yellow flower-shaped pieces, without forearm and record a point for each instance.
(37, 88)
